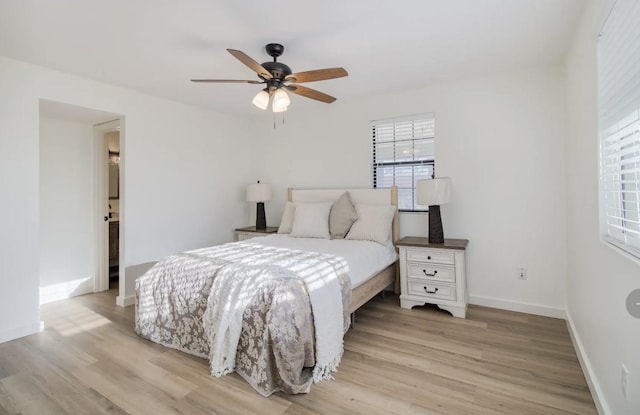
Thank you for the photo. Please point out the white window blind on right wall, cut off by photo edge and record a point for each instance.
(619, 125)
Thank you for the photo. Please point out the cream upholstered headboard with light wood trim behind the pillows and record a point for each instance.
(367, 196)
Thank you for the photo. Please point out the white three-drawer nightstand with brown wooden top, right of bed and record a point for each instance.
(434, 274)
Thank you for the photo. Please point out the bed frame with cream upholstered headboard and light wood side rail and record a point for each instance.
(376, 284)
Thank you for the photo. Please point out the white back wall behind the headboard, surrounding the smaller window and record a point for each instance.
(499, 138)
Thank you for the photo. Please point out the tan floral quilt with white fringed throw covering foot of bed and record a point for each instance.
(261, 310)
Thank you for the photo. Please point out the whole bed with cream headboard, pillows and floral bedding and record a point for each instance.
(249, 306)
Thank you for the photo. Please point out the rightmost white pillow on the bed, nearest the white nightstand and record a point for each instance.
(373, 223)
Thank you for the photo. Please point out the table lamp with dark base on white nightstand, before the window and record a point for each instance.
(433, 193)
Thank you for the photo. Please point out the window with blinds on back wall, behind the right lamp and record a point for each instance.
(403, 152)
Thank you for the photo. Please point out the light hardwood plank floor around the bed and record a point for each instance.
(88, 360)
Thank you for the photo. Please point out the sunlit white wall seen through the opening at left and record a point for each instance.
(67, 263)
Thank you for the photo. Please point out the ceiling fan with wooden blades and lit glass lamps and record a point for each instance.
(278, 77)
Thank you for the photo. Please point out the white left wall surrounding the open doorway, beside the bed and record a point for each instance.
(183, 186)
